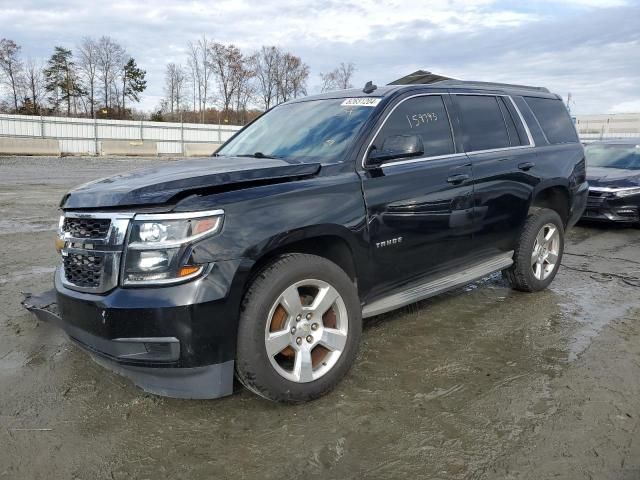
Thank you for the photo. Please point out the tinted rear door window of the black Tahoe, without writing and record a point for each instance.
(483, 124)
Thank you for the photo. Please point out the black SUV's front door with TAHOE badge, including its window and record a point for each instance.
(420, 208)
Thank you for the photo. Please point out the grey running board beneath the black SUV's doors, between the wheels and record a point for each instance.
(419, 292)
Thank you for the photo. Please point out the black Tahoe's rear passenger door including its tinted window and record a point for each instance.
(499, 146)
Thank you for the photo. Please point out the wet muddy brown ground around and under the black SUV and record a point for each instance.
(480, 383)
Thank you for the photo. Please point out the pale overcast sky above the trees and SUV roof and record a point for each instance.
(590, 48)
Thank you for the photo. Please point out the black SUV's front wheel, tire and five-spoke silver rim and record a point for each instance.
(305, 368)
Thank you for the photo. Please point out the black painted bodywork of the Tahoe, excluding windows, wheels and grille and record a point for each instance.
(397, 223)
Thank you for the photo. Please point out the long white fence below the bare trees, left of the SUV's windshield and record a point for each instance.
(82, 135)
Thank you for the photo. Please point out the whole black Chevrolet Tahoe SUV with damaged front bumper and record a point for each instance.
(263, 260)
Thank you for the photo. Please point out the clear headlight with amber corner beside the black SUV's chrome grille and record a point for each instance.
(158, 247)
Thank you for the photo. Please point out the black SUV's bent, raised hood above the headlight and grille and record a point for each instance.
(160, 184)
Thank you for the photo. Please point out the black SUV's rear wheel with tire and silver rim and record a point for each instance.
(524, 274)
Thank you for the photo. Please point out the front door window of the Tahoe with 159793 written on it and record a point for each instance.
(424, 116)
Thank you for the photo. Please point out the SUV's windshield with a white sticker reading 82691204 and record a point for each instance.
(312, 131)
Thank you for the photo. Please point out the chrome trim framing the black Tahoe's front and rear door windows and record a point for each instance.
(531, 144)
